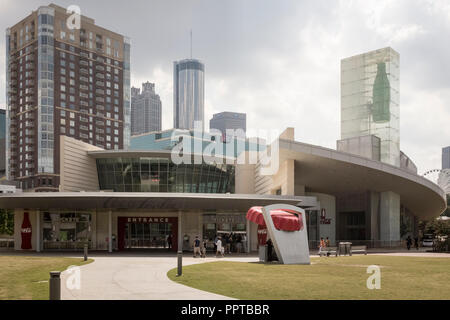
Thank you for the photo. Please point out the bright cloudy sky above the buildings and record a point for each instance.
(279, 60)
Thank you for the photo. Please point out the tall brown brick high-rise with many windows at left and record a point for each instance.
(62, 82)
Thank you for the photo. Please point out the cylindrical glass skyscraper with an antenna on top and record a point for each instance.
(189, 93)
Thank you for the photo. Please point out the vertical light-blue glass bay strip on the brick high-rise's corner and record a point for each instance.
(46, 139)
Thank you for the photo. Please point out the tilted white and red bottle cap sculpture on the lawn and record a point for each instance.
(285, 227)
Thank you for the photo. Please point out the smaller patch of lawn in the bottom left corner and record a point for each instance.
(26, 278)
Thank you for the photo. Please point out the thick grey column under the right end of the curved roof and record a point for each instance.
(389, 216)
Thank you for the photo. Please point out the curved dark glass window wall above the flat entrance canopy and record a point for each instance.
(161, 175)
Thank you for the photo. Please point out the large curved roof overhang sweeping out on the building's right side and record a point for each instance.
(338, 173)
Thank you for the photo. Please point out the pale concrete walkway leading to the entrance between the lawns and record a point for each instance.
(136, 278)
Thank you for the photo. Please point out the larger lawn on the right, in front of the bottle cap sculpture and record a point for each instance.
(326, 278)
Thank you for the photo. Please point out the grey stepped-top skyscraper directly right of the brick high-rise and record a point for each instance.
(145, 109)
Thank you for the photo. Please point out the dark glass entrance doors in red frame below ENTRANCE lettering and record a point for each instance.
(147, 235)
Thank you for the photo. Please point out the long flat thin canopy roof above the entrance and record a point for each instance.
(170, 201)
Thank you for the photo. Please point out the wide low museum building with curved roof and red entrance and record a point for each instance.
(129, 200)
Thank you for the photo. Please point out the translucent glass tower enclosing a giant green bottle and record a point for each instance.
(370, 100)
